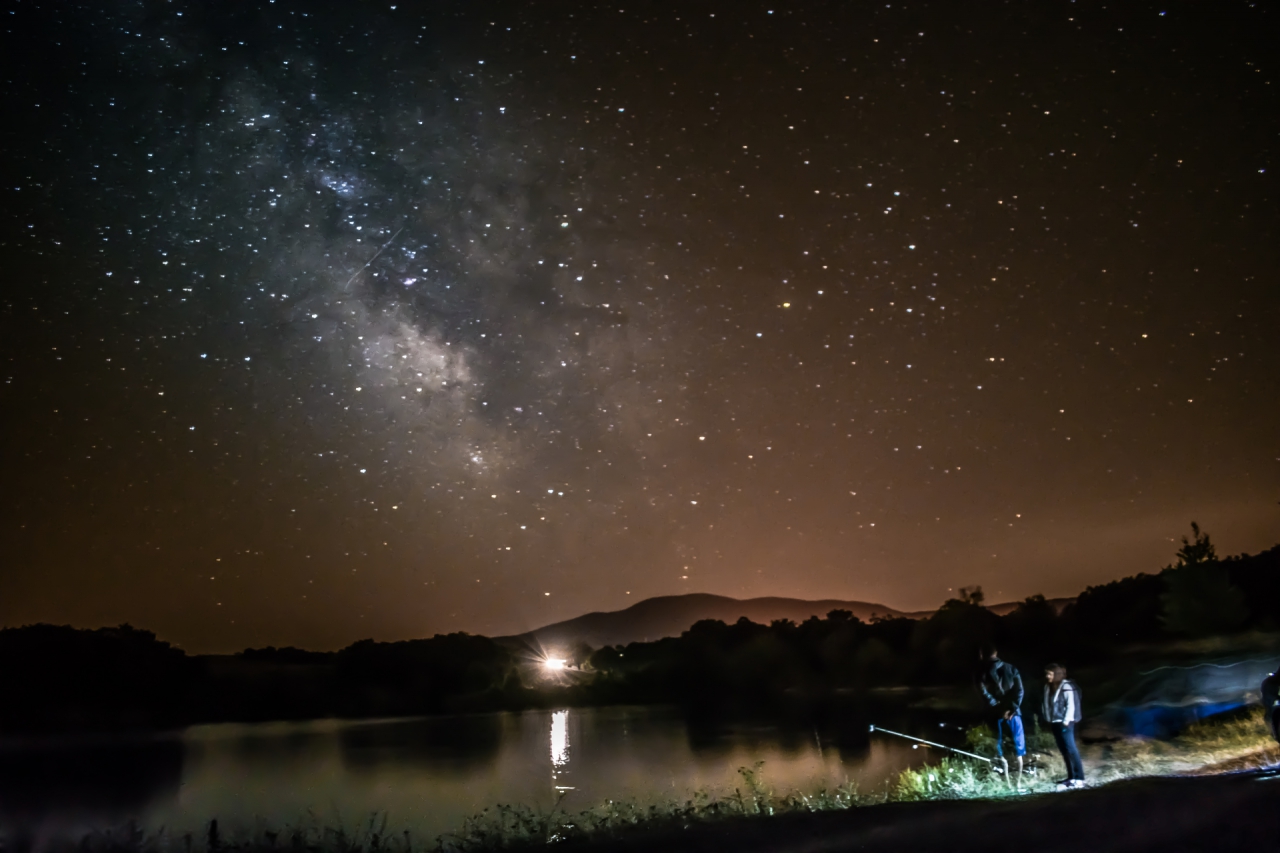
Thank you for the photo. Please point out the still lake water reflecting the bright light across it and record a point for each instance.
(427, 776)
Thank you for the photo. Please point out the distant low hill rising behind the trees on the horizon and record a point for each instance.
(673, 615)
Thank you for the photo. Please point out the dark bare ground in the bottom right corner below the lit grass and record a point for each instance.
(1231, 813)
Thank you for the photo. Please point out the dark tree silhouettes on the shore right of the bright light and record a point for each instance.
(747, 665)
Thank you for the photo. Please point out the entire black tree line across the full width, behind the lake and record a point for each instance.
(71, 679)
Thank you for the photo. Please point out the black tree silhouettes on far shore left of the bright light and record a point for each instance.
(121, 678)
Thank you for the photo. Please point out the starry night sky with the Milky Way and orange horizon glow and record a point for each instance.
(328, 321)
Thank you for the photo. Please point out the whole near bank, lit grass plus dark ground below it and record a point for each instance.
(1203, 790)
